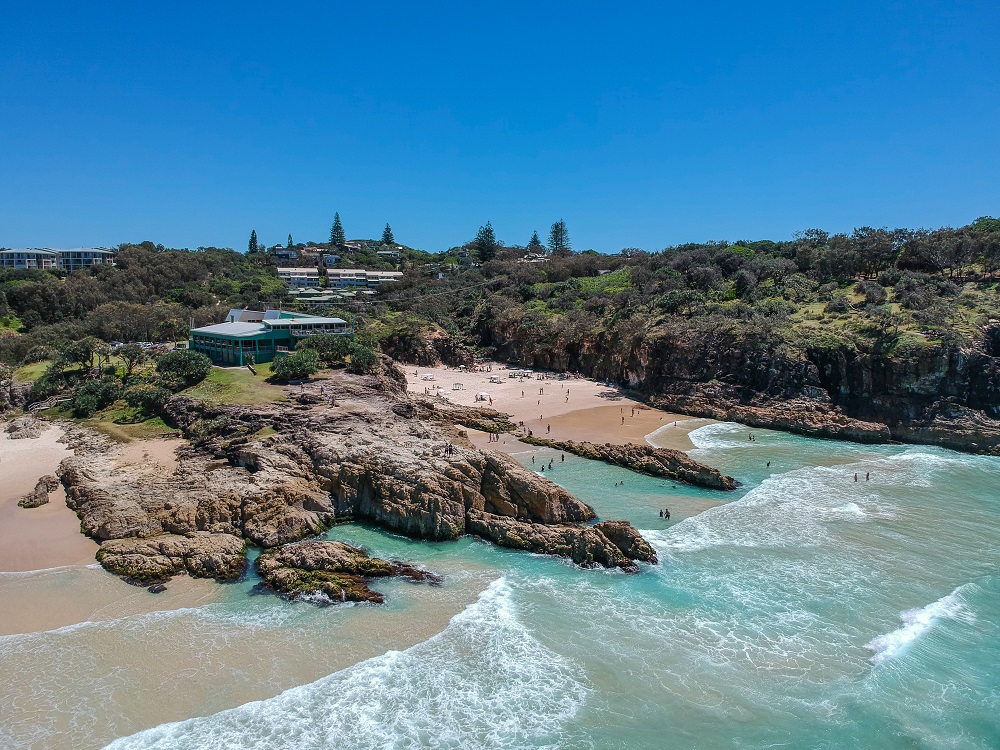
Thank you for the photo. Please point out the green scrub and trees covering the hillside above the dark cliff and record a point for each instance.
(875, 289)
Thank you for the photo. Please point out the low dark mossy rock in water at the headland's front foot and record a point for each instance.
(330, 572)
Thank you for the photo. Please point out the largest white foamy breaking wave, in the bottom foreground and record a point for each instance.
(483, 682)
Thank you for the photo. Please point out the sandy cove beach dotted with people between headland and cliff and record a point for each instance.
(572, 409)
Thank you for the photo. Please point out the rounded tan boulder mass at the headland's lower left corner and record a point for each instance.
(154, 560)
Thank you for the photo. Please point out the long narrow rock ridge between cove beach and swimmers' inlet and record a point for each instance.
(645, 459)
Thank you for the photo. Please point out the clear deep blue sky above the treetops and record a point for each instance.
(639, 124)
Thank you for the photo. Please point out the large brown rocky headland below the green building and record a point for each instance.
(274, 475)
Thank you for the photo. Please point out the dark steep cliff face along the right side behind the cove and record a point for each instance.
(943, 395)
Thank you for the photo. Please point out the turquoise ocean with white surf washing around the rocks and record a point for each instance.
(805, 610)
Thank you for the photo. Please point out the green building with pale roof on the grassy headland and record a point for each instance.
(253, 335)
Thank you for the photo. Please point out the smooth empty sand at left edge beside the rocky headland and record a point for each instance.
(44, 537)
